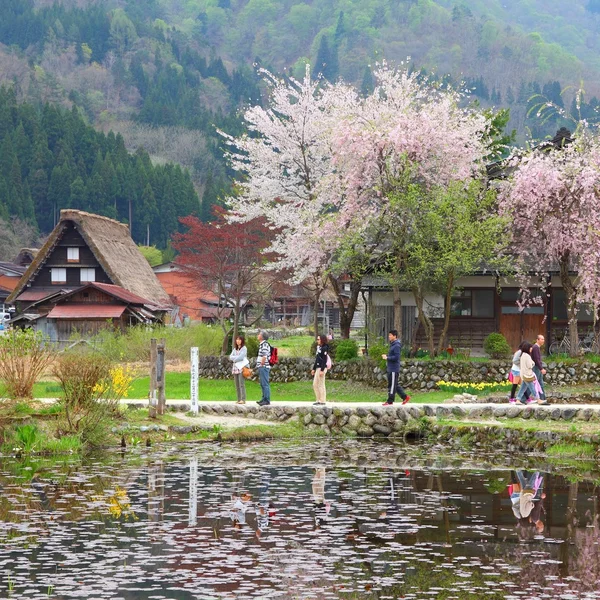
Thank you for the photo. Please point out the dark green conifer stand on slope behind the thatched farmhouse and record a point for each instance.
(50, 159)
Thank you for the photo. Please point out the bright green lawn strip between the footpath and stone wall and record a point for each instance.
(178, 388)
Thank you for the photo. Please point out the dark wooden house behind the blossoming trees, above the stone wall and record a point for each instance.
(483, 303)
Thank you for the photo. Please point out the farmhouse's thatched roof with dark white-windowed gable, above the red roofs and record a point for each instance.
(85, 248)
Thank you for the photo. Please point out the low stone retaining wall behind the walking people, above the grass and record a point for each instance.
(415, 374)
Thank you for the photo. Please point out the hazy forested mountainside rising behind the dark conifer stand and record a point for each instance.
(165, 74)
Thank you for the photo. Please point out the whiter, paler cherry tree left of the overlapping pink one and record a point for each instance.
(283, 163)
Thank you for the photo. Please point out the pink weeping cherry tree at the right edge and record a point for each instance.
(552, 200)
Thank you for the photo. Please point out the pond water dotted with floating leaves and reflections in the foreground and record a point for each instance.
(283, 520)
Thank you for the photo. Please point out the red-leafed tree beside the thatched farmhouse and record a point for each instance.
(228, 259)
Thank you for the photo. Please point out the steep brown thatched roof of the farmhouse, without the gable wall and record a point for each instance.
(113, 248)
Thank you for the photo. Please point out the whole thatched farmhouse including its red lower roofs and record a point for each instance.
(88, 276)
